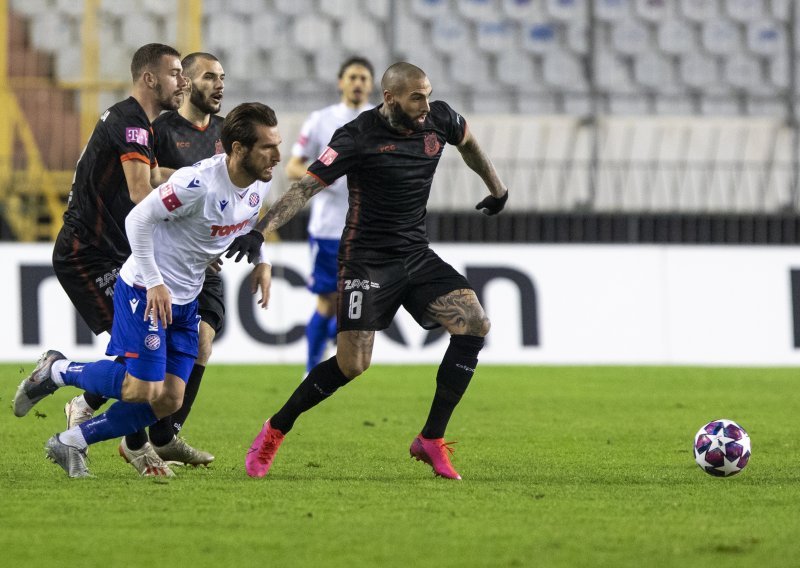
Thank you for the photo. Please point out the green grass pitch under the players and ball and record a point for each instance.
(562, 466)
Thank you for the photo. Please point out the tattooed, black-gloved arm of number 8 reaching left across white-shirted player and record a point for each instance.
(281, 211)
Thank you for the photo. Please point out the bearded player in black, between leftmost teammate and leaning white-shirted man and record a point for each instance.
(182, 138)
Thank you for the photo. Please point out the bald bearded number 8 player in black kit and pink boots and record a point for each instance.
(389, 155)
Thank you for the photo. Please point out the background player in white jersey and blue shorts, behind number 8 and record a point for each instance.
(328, 210)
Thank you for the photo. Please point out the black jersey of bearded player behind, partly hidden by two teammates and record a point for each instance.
(179, 143)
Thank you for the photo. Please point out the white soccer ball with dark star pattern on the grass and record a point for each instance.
(722, 448)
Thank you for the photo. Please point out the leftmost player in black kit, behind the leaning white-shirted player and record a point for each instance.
(116, 170)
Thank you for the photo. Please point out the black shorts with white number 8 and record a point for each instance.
(372, 290)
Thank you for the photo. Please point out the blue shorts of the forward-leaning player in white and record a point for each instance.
(151, 352)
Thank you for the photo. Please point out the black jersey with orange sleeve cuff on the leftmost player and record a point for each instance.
(100, 200)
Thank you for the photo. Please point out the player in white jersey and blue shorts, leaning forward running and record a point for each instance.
(175, 233)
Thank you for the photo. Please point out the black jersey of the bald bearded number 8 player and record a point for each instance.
(389, 177)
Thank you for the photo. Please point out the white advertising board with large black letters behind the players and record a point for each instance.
(573, 304)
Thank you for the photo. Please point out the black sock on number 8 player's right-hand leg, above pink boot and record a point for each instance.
(455, 372)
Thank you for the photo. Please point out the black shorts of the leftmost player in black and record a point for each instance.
(87, 276)
